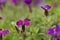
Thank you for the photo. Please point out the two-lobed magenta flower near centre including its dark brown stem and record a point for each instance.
(23, 23)
